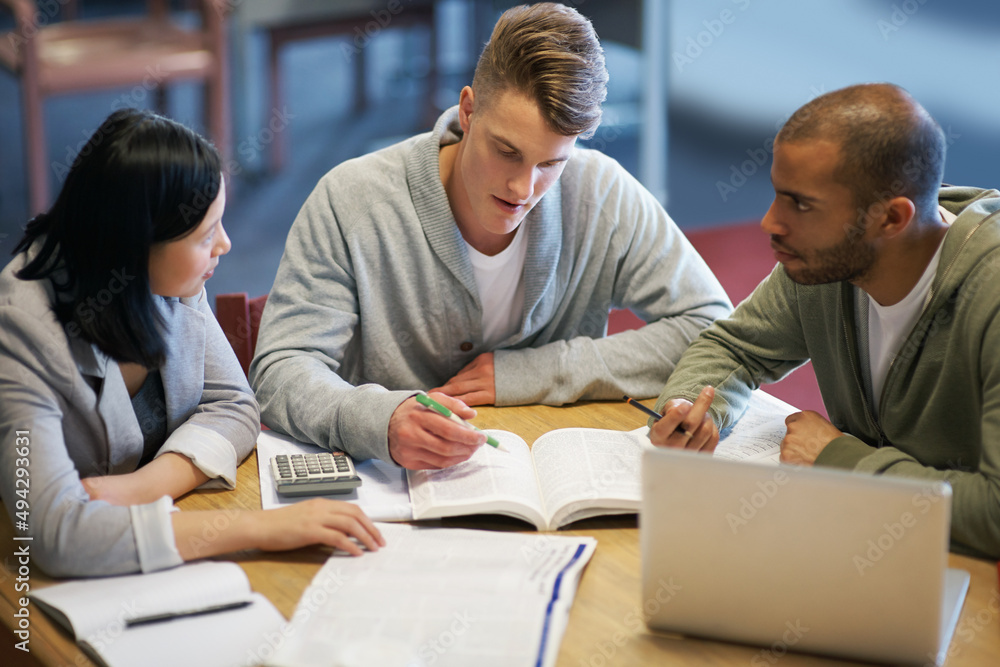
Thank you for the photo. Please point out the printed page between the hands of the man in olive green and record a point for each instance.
(757, 435)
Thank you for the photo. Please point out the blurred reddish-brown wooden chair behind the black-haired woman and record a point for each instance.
(151, 51)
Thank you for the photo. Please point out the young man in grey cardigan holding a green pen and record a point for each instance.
(479, 260)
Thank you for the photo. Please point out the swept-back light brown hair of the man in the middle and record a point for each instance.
(550, 53)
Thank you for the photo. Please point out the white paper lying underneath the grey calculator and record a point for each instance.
(383, 493)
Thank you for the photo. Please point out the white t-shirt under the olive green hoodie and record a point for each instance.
(888, 326)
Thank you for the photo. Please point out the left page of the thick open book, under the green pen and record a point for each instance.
(490, 482)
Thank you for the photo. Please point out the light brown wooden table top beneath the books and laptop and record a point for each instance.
(603, 627)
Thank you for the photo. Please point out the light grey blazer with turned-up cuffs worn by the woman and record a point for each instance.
(65, 414)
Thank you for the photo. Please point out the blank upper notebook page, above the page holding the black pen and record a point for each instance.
(92, 607)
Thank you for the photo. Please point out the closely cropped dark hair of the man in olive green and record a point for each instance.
(889, 145)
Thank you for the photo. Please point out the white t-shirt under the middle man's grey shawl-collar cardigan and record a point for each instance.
(501, 288)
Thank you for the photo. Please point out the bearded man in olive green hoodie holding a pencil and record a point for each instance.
(888, 282)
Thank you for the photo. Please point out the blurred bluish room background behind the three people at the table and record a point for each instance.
(697, 92)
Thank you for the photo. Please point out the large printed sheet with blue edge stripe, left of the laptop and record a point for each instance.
(446, 597)
